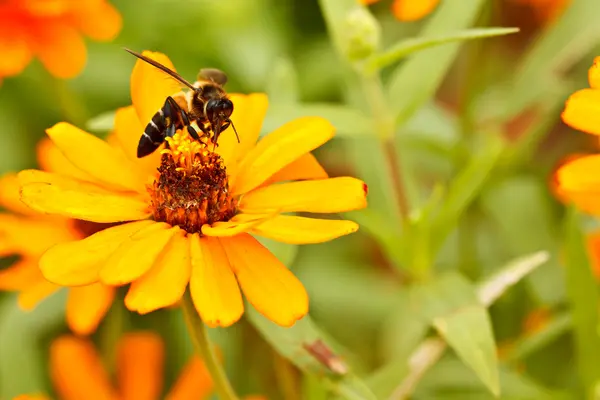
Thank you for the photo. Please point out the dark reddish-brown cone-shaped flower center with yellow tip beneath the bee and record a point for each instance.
(191, 188)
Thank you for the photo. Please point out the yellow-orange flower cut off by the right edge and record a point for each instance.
(578, 181)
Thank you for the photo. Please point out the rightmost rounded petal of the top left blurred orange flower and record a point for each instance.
(97, 19)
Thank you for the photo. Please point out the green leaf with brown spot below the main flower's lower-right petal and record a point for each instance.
(291, 342)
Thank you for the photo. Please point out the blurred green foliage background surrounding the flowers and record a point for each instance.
(476, 136)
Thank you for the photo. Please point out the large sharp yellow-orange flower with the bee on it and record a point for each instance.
(190, 220)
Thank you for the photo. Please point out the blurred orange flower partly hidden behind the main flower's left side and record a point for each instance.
(27, 234)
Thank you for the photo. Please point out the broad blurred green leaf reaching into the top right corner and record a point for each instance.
(558, 49)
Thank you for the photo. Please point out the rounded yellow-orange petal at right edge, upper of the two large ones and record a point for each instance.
(582, 111)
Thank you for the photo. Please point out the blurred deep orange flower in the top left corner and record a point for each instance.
(52, 31)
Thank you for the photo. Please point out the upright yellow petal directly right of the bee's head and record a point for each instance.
(248, 114)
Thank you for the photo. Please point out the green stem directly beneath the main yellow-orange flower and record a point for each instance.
(204, 349)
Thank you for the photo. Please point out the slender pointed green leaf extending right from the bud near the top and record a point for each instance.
(409, 46)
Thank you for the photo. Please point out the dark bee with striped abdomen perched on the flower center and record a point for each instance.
(206, 104)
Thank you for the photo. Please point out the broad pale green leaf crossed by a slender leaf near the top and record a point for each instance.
(414, 82)
